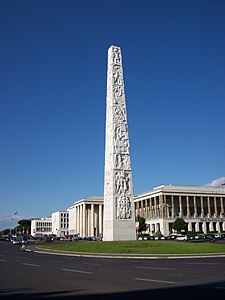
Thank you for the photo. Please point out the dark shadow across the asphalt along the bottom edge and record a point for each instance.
(200, 292)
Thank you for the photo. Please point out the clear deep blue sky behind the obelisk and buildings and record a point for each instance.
(53, 89)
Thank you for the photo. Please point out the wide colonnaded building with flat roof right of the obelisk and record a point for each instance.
(202, 208)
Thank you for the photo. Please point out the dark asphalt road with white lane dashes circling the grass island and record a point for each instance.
(29, 275)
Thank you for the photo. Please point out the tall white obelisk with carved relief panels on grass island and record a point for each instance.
(119, 217)
